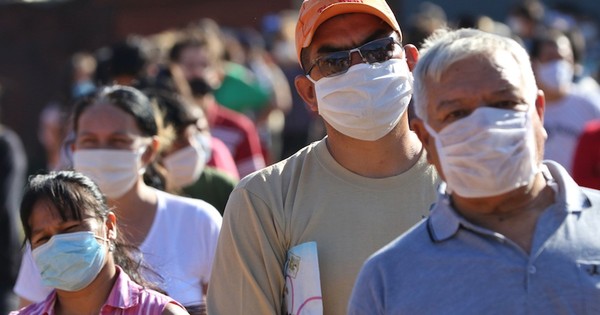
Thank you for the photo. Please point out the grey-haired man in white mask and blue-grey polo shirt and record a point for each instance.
(511, 233)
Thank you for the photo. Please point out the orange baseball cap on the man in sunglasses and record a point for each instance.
(314, 12)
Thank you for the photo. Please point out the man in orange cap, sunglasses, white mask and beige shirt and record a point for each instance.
(296, 233)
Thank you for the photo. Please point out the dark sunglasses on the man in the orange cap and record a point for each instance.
(339, 62)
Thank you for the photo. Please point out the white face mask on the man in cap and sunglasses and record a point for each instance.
(368, 101)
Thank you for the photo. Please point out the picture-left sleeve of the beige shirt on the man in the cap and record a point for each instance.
(247, 275)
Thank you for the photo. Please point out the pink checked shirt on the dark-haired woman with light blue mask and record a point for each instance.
(126, 297)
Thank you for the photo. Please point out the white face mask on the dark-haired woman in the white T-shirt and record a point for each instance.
(115, 171)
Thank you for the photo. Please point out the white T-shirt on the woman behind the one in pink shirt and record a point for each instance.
(179, 247)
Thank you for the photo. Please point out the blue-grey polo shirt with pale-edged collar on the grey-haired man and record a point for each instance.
(447, 265)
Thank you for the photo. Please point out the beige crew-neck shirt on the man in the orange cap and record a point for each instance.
(310, 197)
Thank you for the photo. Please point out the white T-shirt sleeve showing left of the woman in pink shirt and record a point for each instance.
(29, 282)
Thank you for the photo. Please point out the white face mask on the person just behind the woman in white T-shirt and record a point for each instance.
(185, 166)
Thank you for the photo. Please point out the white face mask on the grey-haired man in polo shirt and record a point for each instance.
(488, 153)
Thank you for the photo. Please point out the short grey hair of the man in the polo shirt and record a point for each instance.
(444, 48)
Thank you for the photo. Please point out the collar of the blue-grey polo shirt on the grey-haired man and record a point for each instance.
(444, 222)
